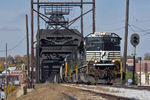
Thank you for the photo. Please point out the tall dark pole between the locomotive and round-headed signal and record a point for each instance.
(126, 40)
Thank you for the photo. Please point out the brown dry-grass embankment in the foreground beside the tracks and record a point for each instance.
(55, 92)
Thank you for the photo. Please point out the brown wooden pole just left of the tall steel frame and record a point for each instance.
(27, 38)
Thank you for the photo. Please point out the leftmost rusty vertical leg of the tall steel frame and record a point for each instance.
(32, 42)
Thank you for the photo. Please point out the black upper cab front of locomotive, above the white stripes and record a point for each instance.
(107, 43)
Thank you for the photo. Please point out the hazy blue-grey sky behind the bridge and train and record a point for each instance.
(110, 17)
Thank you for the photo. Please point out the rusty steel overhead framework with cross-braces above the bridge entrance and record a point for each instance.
(56, 10)
